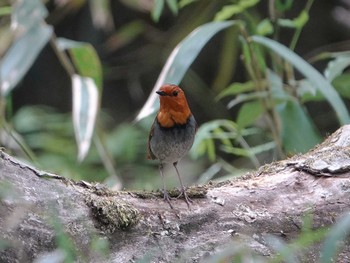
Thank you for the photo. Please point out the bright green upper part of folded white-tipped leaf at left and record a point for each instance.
(84, 58)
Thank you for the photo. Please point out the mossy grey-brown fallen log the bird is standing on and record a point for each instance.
(38, 210)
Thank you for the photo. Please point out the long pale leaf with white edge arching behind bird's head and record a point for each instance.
(180, 60)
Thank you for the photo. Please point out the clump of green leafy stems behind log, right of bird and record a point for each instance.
(272, 95)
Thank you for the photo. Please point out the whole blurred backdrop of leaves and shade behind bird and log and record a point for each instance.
(265, 80)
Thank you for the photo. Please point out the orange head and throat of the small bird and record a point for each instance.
(173, 109)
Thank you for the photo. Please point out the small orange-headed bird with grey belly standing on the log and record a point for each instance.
(172, 133)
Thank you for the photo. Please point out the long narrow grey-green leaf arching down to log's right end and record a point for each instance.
(312, 75)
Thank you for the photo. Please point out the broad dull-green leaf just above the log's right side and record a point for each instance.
(297, 130)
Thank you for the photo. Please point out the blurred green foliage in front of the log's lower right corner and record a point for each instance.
(296, 249)
